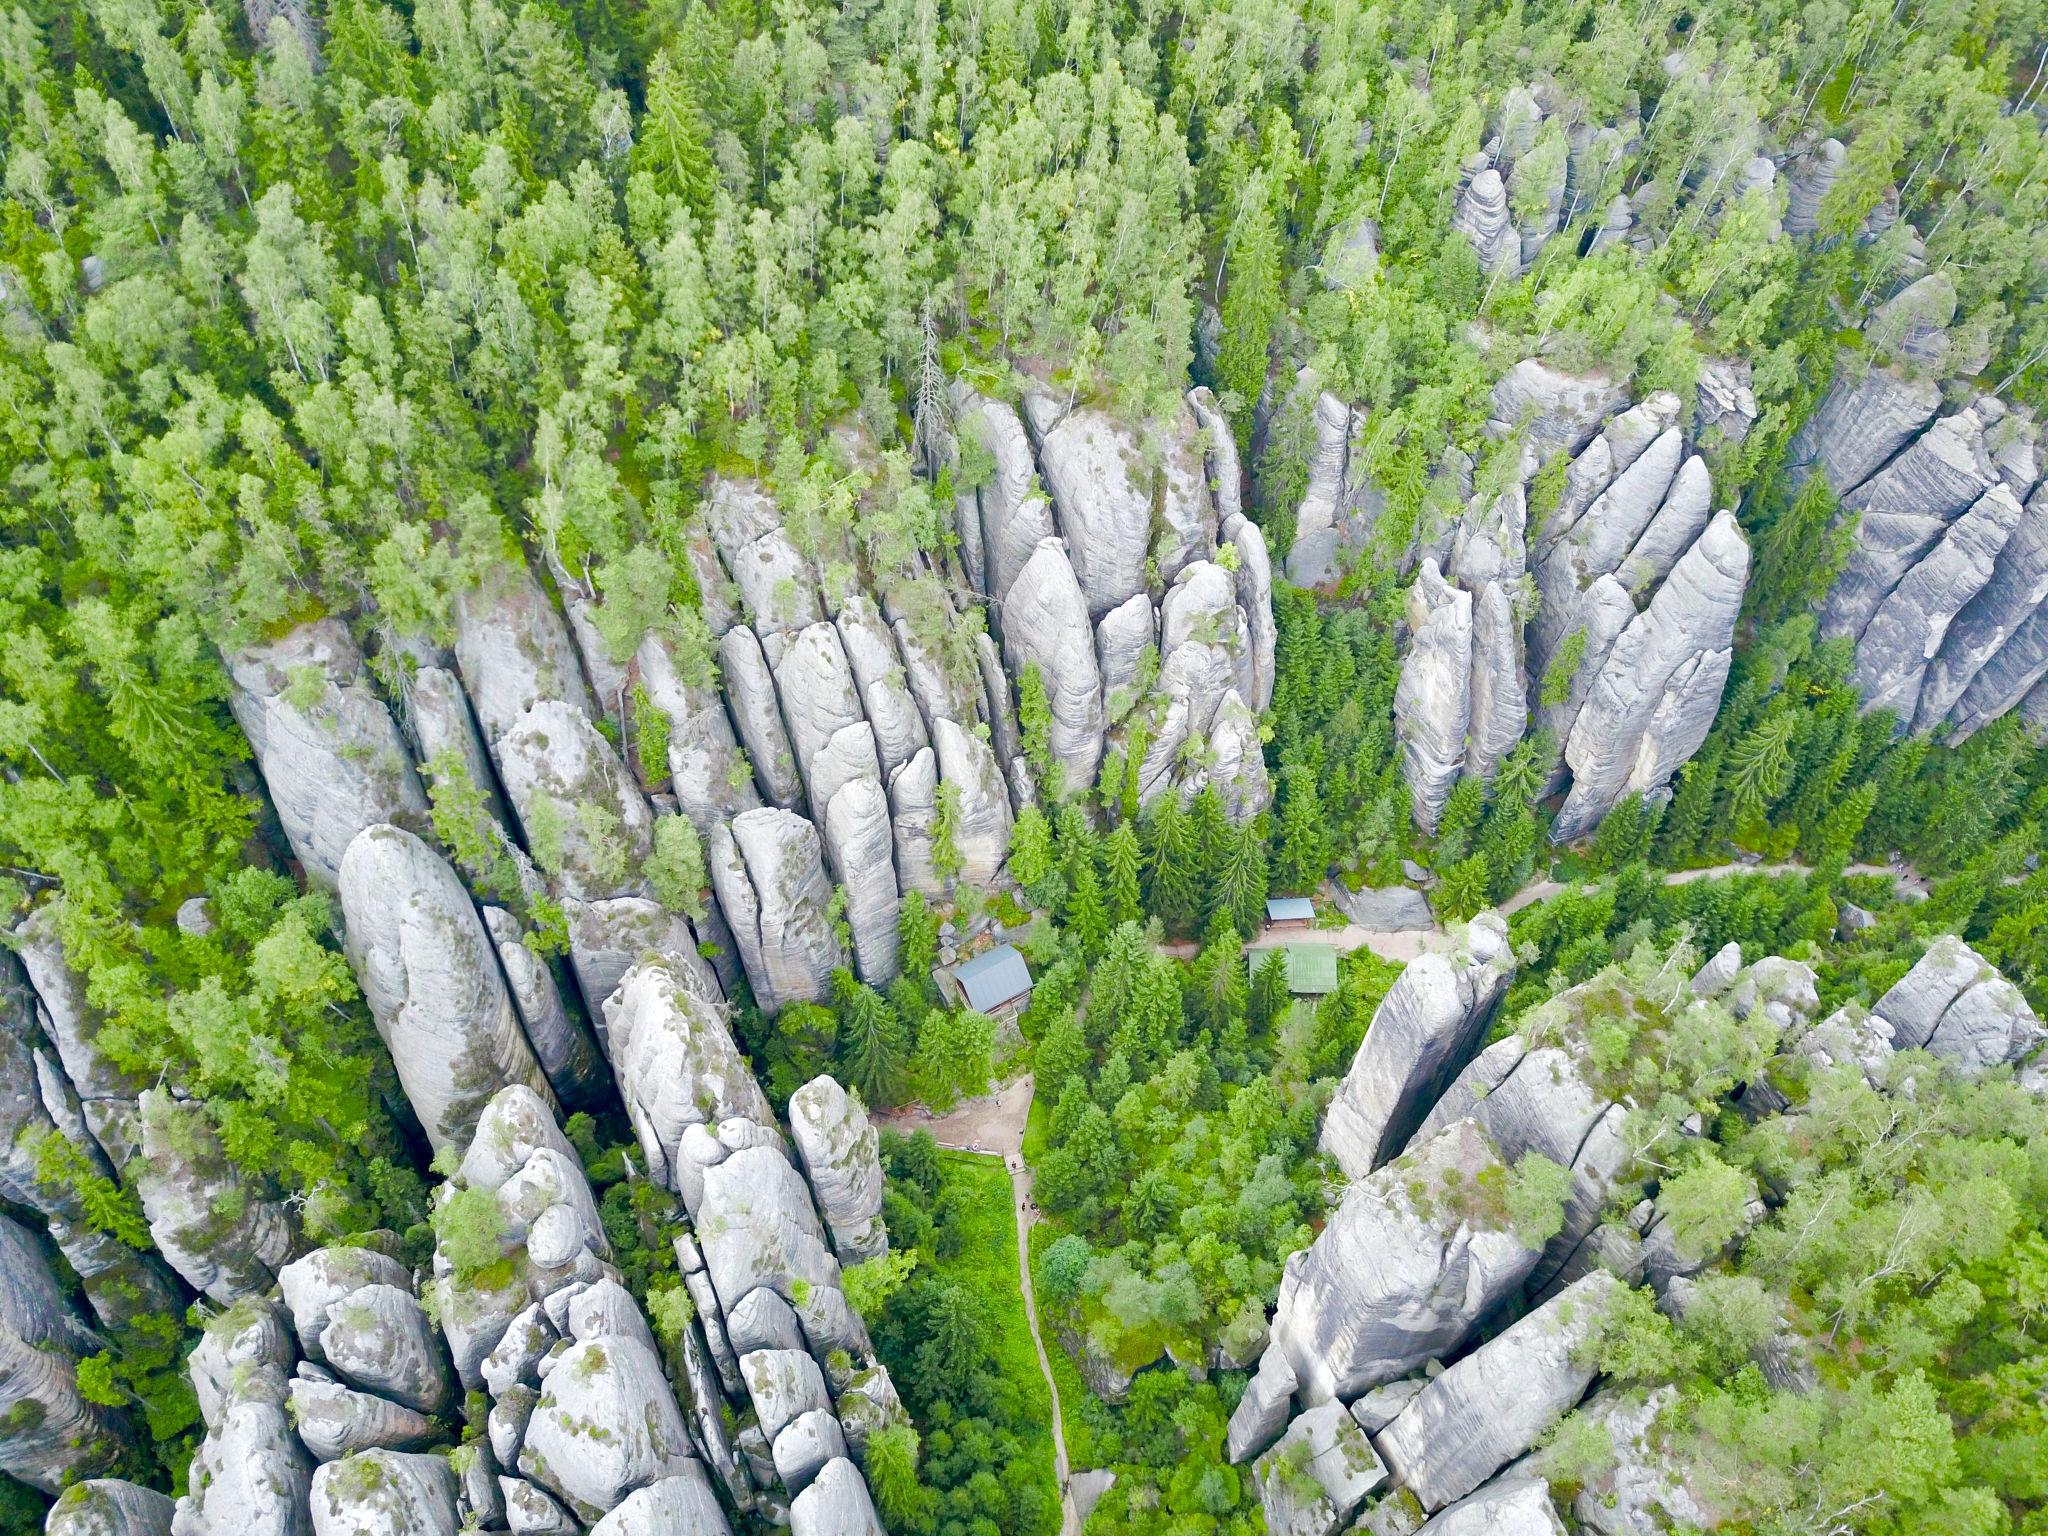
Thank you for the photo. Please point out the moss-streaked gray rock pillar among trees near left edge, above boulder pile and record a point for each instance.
(206, 1220)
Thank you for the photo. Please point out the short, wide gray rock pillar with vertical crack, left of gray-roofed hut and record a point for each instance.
(769, 871)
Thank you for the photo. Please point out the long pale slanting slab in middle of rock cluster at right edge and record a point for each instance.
(1912, 624)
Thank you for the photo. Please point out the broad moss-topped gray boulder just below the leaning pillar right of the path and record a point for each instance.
(1394, 1279)
